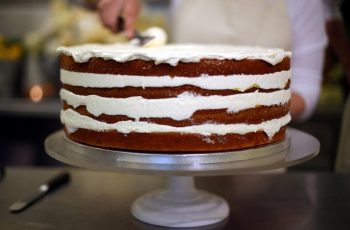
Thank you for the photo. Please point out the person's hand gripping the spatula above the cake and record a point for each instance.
(109, 10)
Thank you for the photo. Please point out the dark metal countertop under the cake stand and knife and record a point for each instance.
(101, 200)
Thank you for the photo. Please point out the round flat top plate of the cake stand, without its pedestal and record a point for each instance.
(297, 147)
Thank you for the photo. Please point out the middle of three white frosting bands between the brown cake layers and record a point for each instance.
(178, 108)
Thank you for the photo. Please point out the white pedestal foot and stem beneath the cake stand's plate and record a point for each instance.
(180, 205)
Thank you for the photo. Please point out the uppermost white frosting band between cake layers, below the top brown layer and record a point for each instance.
(276, 80)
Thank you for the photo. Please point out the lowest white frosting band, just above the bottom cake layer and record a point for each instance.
(74, 120)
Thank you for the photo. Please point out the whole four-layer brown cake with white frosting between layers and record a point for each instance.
(175, 98)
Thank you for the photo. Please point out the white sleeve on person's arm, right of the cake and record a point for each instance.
(309, 42)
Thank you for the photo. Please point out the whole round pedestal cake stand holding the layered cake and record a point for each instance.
(180, 204)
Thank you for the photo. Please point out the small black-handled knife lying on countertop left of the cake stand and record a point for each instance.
(44, 189)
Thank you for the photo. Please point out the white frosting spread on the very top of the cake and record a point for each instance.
(173, 53)
